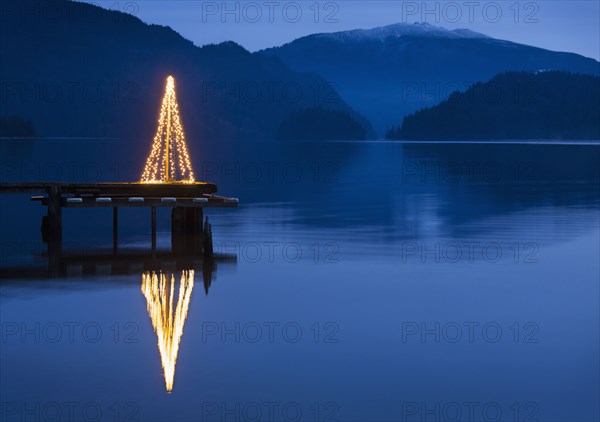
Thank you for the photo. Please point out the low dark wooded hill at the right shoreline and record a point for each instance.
(513, 106)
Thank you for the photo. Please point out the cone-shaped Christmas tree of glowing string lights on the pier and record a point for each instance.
(169, 160)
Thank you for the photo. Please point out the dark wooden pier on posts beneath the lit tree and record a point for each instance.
(189, 233)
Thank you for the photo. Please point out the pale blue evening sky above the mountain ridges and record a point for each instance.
(555, 25)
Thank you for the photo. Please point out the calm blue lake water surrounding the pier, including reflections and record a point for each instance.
(356, 282)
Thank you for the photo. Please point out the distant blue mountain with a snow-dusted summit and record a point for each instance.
(389, 72)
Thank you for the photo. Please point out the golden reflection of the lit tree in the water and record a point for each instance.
(168, 321)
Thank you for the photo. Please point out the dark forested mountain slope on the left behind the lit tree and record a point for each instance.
(75, 69)
